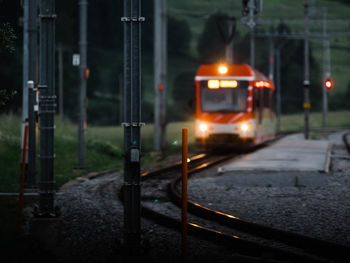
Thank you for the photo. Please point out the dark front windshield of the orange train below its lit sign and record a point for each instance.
(224, 99)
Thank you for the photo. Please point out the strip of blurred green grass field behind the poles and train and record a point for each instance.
(104, 145)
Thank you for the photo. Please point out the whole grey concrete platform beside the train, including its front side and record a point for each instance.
(292, 161)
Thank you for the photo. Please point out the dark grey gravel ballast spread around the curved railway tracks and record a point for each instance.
(90, 227)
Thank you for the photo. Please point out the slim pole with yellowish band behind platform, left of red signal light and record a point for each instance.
(306, 83)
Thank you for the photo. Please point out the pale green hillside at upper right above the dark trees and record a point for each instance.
(195, 12)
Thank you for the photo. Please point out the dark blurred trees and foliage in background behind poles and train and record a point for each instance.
(105, 59)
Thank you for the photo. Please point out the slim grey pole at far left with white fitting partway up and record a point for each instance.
(33, 77)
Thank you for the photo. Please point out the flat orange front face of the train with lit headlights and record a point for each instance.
(224, 116)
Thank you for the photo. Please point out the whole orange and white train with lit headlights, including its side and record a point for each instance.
(234, 107)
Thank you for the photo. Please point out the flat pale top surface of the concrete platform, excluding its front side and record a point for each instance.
(290, 154)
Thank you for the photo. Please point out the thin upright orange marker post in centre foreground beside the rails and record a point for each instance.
(184, 194)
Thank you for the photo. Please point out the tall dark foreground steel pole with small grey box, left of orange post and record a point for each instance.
(132, 127)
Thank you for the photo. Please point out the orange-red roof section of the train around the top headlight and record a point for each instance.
(237, 71)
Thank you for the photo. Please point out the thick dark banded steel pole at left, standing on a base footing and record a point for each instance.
(47, 100)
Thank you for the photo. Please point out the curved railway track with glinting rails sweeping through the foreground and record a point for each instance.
(313, 250)
